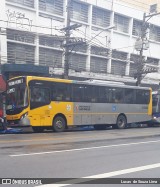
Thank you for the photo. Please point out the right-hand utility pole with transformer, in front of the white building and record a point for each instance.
(143, 44)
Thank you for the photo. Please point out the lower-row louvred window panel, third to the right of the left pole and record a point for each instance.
(118, 68)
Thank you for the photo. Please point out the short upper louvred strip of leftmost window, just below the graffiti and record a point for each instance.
(21, 36)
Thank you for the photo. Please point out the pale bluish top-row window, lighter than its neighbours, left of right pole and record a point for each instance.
(121, 23)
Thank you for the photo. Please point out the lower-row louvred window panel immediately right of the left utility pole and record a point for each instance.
(77, 62)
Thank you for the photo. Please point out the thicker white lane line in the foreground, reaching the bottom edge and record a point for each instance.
(103, 175)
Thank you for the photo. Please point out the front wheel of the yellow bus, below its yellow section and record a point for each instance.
(59, 124)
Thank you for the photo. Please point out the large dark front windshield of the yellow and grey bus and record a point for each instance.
(17, 97)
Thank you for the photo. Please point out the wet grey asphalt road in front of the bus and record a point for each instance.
(130, 153)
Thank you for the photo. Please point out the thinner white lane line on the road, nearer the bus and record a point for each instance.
(82, 149)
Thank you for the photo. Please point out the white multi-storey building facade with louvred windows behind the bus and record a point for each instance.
(32, 38)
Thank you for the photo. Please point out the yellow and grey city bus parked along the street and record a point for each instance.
(51, 103)
